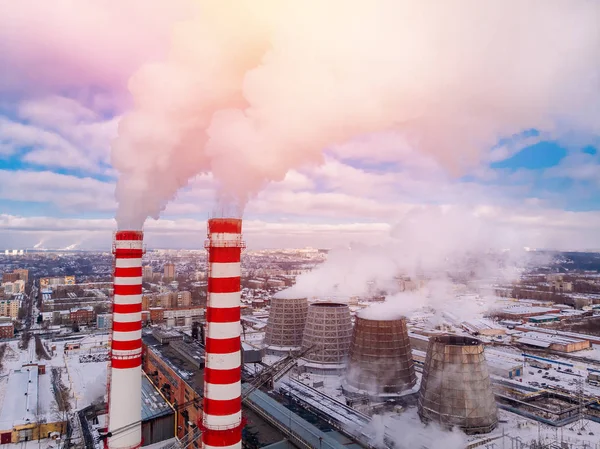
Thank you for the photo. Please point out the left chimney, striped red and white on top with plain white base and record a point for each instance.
(125, 383)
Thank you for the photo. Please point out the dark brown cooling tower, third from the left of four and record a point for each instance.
(380, 359)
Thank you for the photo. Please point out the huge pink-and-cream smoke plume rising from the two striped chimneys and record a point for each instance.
(252, 89)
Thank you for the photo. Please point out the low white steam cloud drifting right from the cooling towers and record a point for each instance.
(431, 242)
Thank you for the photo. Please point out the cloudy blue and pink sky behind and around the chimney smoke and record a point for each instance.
(60, 107)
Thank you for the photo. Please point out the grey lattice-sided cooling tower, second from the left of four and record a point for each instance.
(329, 331)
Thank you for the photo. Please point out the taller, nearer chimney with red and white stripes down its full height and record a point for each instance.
(222, 414)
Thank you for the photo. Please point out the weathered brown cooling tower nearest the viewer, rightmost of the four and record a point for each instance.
(456, 388)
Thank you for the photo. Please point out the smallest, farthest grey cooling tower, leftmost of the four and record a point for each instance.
(285, 327)
